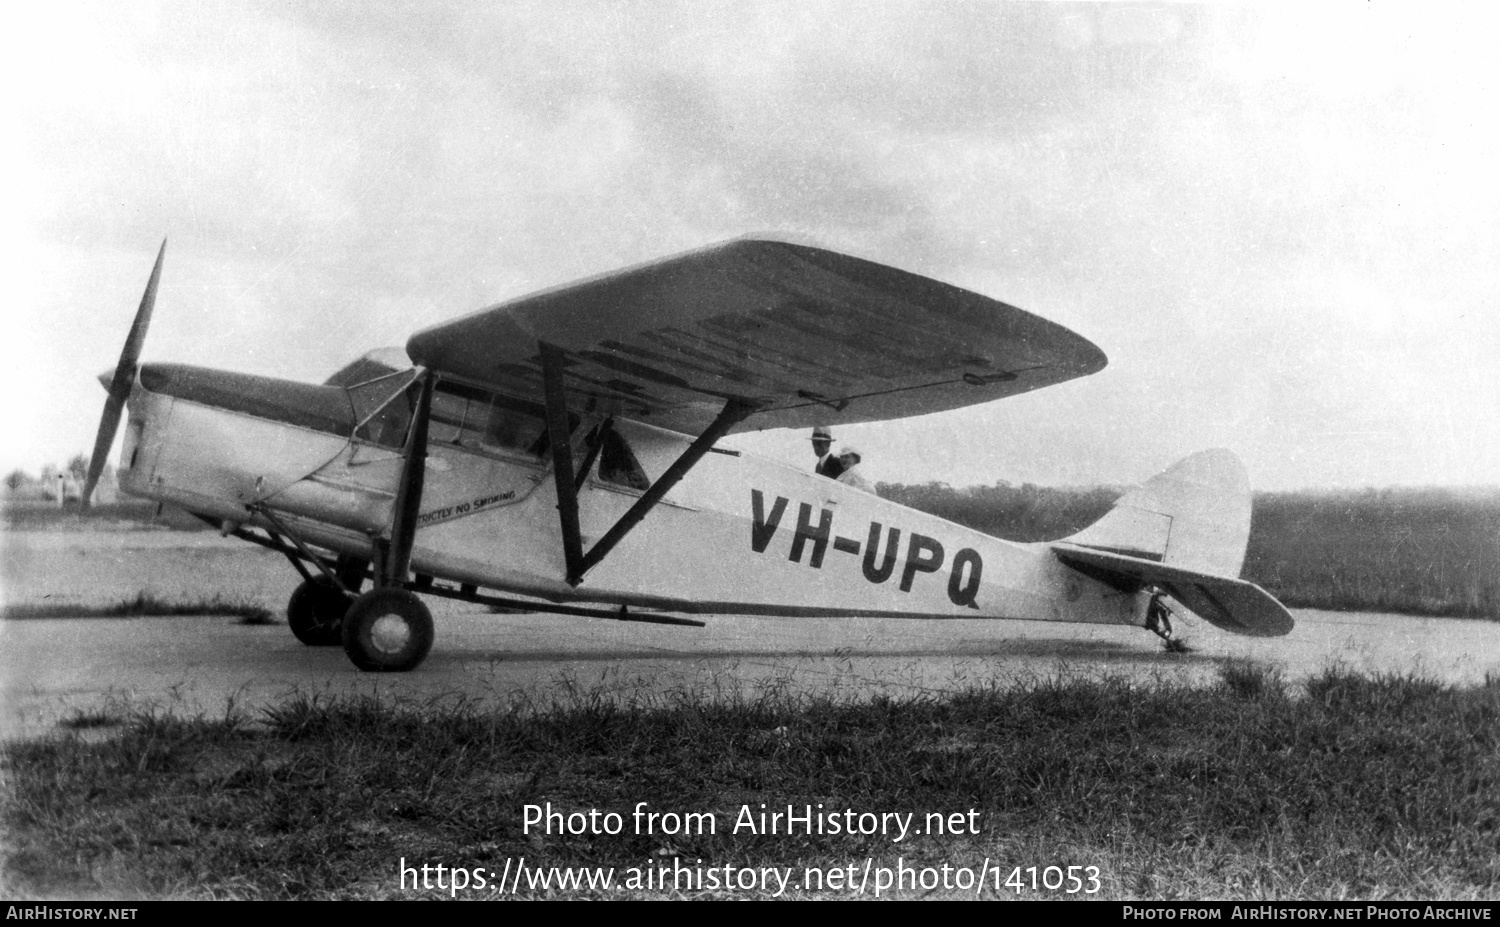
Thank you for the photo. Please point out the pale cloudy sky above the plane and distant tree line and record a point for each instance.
(1279, 223)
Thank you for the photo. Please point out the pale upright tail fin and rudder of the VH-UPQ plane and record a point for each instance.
(1195, 515)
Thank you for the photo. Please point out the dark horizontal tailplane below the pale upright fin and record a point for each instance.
(1229, 604)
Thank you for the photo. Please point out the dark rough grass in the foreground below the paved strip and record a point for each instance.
(1348, 788)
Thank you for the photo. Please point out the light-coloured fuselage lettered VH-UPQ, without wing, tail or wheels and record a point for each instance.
(739, 535)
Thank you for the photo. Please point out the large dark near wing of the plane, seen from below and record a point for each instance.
(800, 335)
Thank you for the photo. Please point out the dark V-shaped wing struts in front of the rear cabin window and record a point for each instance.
(578, 563)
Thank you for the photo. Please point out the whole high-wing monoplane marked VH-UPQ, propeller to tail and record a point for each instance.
(562, 454)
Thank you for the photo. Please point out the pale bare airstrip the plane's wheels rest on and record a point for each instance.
(56, 668)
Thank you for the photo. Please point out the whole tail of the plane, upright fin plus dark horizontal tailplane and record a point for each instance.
(1184, 532)
